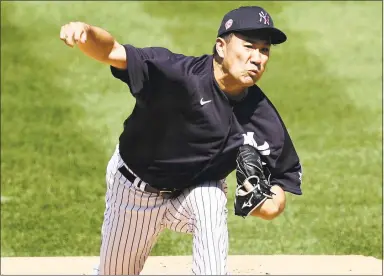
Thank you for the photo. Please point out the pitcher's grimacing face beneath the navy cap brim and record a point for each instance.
(245, 59)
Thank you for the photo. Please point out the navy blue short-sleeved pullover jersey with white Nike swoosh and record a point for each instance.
(184, 129)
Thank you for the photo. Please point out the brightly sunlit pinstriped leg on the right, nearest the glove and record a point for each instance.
(205, 207)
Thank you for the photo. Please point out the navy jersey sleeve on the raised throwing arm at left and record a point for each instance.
(137, 75)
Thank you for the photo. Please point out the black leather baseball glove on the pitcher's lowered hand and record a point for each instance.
(252, 186)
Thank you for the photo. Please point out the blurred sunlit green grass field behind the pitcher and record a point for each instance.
(62, 113)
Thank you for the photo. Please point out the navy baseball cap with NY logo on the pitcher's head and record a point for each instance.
(251, 18)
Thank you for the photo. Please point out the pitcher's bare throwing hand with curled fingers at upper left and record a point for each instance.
(74, 32)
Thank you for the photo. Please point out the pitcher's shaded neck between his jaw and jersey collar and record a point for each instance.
(225, 81)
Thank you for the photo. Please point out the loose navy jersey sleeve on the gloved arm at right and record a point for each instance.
(265, 129)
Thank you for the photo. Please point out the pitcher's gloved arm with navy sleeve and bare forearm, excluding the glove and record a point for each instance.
(267, 133)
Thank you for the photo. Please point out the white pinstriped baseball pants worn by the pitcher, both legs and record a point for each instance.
(134, 219)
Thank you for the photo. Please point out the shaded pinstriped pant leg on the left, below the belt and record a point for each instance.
(132, 223)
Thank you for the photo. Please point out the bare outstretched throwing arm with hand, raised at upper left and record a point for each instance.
(95, 42)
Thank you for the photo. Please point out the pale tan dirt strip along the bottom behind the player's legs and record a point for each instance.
(181, 265)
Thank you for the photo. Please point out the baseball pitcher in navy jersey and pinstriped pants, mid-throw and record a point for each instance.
(196, 119)
